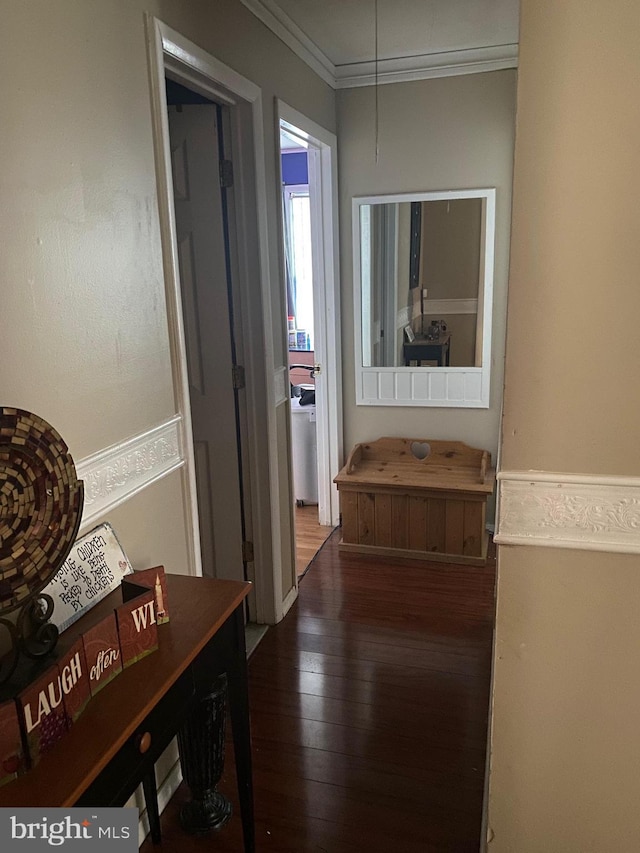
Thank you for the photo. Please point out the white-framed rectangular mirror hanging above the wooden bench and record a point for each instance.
(423, 285)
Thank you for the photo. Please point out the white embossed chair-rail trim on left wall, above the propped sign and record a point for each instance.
(119, 472)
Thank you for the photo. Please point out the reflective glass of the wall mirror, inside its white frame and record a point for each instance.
(422, 269)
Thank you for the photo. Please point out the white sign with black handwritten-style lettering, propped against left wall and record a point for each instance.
(95, 566)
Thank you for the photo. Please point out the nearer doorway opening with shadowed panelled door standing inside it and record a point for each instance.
(202, 178)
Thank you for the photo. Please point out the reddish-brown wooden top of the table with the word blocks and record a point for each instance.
(198, 607)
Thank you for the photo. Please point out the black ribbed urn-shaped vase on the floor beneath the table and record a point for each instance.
(201, 744)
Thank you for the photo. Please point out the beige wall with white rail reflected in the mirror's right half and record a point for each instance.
(450, 270)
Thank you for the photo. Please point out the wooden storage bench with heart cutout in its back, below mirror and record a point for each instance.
(416, 498)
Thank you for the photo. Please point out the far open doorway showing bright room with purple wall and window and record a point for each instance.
(308, 222)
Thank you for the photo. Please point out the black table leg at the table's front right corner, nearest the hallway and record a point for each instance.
(239, 709)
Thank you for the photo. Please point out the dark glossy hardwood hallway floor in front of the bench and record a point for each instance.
(369, 708)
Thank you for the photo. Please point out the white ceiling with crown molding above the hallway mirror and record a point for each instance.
(416, 39)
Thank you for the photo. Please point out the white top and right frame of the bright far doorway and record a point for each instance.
(322, 152)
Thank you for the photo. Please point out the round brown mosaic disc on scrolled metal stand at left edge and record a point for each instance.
(40, 505)
